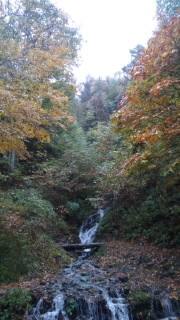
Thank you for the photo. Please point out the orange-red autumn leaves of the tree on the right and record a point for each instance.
(148, 113)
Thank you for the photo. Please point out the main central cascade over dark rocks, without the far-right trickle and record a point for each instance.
(89, 286)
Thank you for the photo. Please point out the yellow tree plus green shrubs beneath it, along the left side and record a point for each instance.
(38, 50)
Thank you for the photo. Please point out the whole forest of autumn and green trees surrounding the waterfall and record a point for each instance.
(66, 151)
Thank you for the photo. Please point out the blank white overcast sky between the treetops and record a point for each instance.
(110, 28)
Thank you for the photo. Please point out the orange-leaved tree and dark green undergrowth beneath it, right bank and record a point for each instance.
(147, 121)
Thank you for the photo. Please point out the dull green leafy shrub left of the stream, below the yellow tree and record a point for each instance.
(27, 225)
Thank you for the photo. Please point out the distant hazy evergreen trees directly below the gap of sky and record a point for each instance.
(98, 99)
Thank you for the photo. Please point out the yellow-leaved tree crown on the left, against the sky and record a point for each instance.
(38, 49)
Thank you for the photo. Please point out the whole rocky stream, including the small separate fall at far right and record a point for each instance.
(86, 292)
